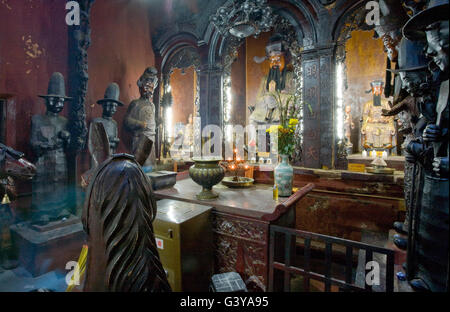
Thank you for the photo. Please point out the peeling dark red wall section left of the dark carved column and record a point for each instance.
(33, 45)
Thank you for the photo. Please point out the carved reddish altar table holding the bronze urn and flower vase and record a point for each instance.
(241, 219)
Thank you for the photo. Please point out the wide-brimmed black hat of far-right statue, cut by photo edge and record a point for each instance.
(437, 10)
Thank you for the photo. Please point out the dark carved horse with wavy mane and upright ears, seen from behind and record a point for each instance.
(117, 217)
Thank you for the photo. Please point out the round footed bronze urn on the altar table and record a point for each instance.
(207, 172)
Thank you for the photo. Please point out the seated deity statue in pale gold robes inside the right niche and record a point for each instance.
(377, 131)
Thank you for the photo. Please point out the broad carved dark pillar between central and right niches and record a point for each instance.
(318, 90)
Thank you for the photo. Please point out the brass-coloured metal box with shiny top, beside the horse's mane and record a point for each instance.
(183, 234)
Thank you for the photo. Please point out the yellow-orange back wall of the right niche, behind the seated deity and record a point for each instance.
(366, 61)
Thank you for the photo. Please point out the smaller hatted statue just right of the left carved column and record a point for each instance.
(110, 103)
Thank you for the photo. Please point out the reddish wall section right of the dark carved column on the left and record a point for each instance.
(120, 51)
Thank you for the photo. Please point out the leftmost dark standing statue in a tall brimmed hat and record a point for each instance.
(49, 139)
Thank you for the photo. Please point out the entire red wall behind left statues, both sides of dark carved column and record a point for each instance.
(34, 44)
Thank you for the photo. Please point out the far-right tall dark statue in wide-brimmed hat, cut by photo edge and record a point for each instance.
(428, 250)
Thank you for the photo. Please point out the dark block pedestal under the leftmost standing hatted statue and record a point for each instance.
(42, 249)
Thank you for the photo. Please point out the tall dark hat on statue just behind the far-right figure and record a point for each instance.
(411, 56)
